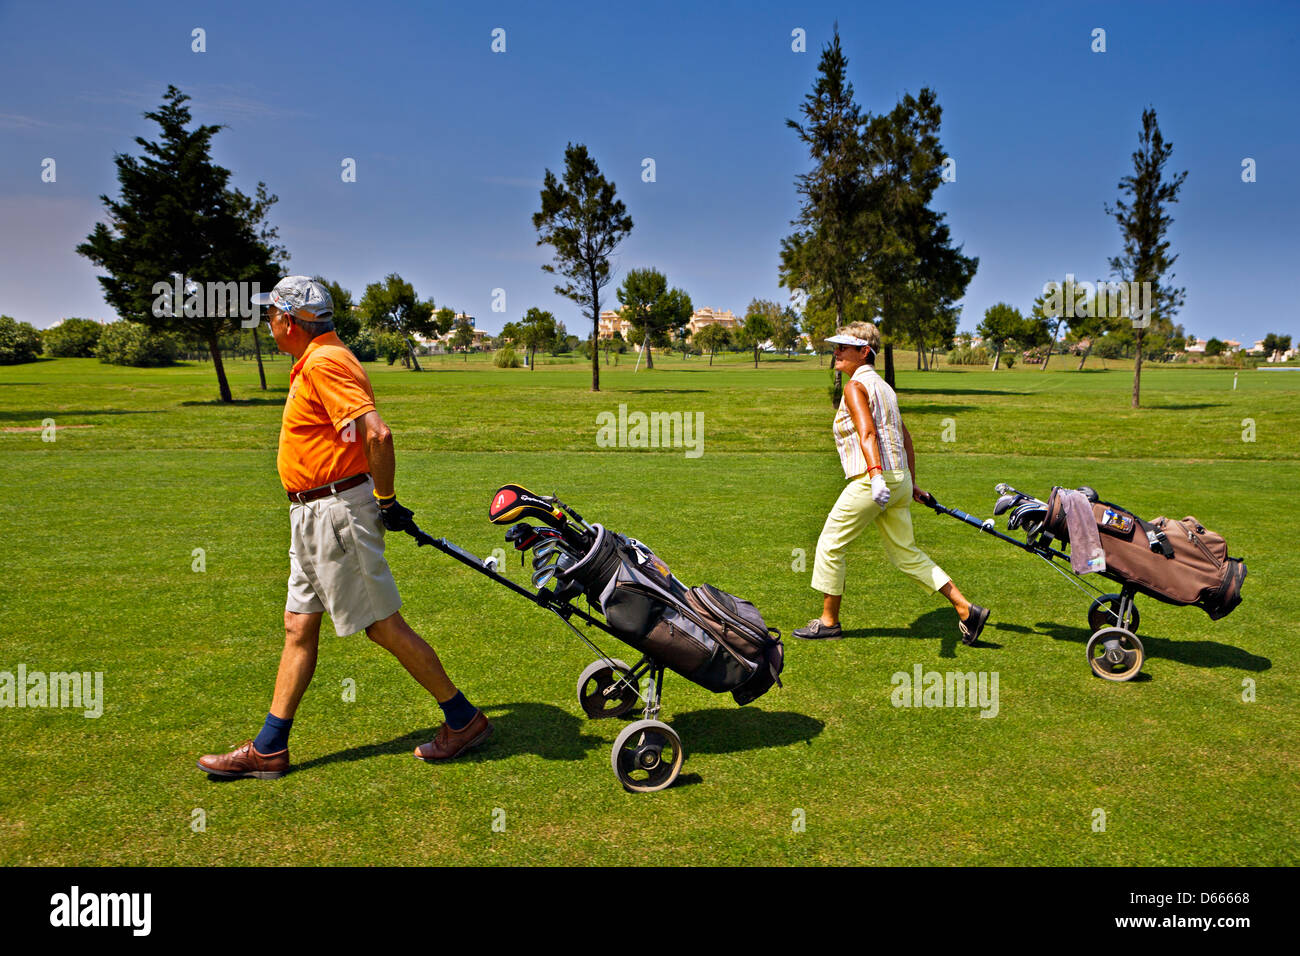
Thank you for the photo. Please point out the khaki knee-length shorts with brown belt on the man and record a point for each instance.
(336, 561)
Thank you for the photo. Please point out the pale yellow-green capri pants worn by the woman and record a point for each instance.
(852, 514)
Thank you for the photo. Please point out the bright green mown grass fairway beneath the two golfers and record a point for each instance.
(102, 525)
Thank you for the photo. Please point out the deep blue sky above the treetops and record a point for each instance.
(452, 140)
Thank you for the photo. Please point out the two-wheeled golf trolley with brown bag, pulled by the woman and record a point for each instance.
(1176, 563)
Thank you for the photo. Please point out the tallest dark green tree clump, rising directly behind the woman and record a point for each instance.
(868, 245)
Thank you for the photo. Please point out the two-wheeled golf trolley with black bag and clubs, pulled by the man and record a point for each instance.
(712, 638)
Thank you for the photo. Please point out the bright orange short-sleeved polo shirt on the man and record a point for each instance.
(328, 390)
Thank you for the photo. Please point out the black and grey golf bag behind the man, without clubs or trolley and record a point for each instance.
(707, 635)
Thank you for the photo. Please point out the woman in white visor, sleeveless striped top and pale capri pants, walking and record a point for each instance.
(876, 451)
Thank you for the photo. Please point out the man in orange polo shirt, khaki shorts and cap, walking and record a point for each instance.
(336, 462)
